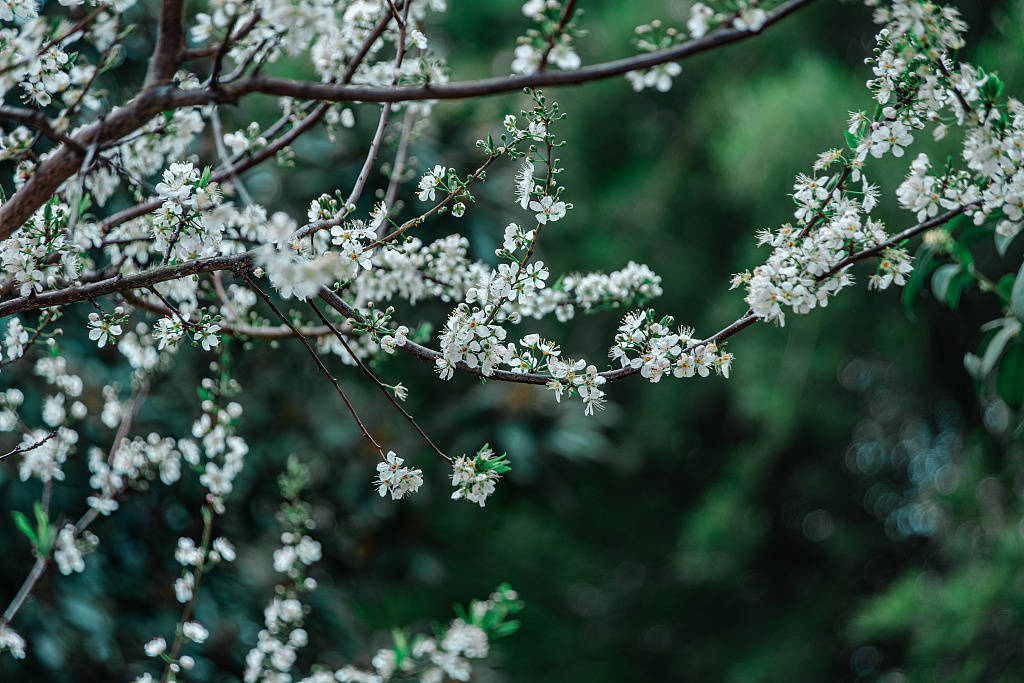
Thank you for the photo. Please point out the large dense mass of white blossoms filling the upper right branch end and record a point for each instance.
(915, 82)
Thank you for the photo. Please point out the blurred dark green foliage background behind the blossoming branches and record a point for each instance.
(846, 507)
